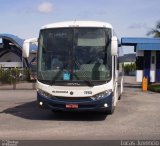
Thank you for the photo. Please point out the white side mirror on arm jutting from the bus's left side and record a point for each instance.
(29, 45)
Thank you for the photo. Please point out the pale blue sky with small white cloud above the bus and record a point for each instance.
(130, 18)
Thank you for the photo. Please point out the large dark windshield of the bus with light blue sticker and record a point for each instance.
(68, 55)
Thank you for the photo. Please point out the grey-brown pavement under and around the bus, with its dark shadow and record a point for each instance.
(136, 117)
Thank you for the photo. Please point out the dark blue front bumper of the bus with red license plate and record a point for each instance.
(74, 103)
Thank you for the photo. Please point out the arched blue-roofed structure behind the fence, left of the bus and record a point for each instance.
(11, 48)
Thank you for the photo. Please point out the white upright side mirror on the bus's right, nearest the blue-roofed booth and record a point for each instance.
(114, 46)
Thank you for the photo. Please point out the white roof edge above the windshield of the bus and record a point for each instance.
(78, 24)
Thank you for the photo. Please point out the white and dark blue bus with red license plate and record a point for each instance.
(78, 67)
